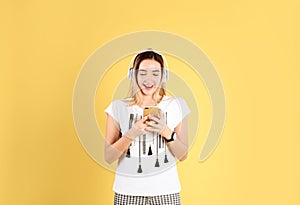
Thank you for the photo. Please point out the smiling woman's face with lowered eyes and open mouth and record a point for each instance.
(149, 76)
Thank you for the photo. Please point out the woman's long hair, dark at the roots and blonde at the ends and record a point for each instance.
(136, 95)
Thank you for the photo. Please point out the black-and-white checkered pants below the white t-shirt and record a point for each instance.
(169, 199)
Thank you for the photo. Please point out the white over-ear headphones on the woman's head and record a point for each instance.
(165, 64)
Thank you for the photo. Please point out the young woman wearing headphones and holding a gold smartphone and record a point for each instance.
(147, 147)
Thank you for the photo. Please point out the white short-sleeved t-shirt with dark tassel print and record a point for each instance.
(142, 173)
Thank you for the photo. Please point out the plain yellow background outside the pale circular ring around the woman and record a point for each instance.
(254, 46)
